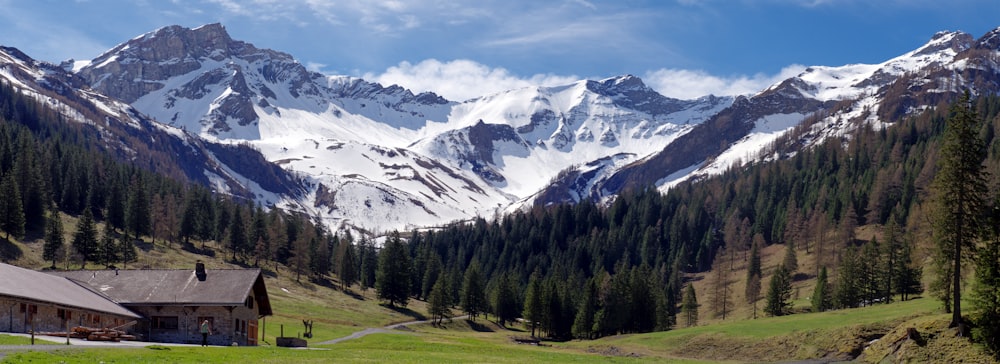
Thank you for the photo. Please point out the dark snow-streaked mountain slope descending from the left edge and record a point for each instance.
(128, 134)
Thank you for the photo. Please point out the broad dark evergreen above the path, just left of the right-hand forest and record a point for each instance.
(392, 279)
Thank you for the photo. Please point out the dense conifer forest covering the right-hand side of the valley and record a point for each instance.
(596, 271)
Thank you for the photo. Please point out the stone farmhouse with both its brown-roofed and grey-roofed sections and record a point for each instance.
(157, 305)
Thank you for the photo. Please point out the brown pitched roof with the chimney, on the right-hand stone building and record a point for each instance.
(161, 287)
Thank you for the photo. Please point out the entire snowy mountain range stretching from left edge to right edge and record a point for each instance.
(256, 124)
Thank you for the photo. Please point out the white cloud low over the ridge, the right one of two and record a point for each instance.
(690, 84)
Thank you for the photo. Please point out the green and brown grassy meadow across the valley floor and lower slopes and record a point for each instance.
(842, 334)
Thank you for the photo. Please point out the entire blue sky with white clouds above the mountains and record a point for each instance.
(461, 49)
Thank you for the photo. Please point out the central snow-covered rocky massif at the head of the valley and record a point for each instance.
(381, 157)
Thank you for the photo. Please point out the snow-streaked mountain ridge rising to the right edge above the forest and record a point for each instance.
(833, 100)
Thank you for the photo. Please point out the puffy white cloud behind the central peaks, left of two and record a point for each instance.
(461, 79)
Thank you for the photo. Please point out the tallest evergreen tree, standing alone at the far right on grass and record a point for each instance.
(960, 190)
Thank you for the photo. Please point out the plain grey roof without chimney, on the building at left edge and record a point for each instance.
(37, 286)
